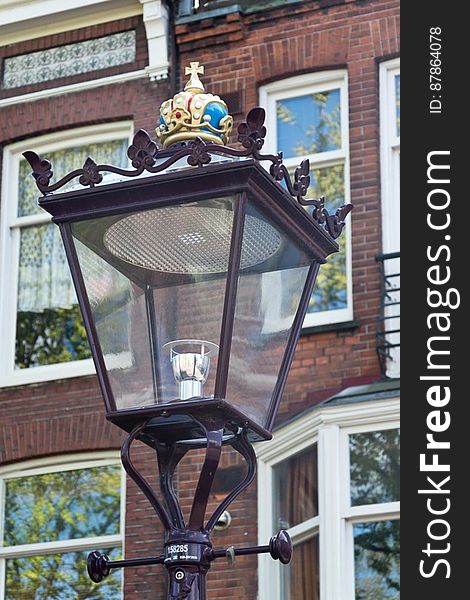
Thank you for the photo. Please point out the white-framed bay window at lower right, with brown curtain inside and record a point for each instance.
(332, 480)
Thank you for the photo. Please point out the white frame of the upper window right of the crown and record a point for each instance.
(298, 86)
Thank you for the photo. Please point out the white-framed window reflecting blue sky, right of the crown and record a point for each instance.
(307, 117)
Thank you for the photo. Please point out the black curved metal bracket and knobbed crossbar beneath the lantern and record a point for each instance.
(187, 550)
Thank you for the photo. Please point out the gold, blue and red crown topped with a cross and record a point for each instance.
(193, 113)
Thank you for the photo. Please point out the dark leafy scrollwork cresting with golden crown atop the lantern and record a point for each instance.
(201, 124)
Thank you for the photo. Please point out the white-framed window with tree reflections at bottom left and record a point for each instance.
(53, 515)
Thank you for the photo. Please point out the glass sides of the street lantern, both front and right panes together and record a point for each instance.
(155, 281)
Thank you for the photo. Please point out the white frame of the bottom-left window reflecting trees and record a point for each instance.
(53, 465)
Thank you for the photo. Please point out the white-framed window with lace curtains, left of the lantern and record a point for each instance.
(41, 328)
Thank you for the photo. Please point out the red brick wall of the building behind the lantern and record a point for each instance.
(240, 53)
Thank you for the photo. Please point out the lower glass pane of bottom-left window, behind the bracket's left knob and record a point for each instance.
(59, 577)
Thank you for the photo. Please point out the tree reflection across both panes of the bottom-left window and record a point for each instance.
(60, 506)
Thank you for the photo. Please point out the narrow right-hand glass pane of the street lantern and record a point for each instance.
(267, 300)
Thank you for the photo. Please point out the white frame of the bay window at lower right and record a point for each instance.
(329, 427)
